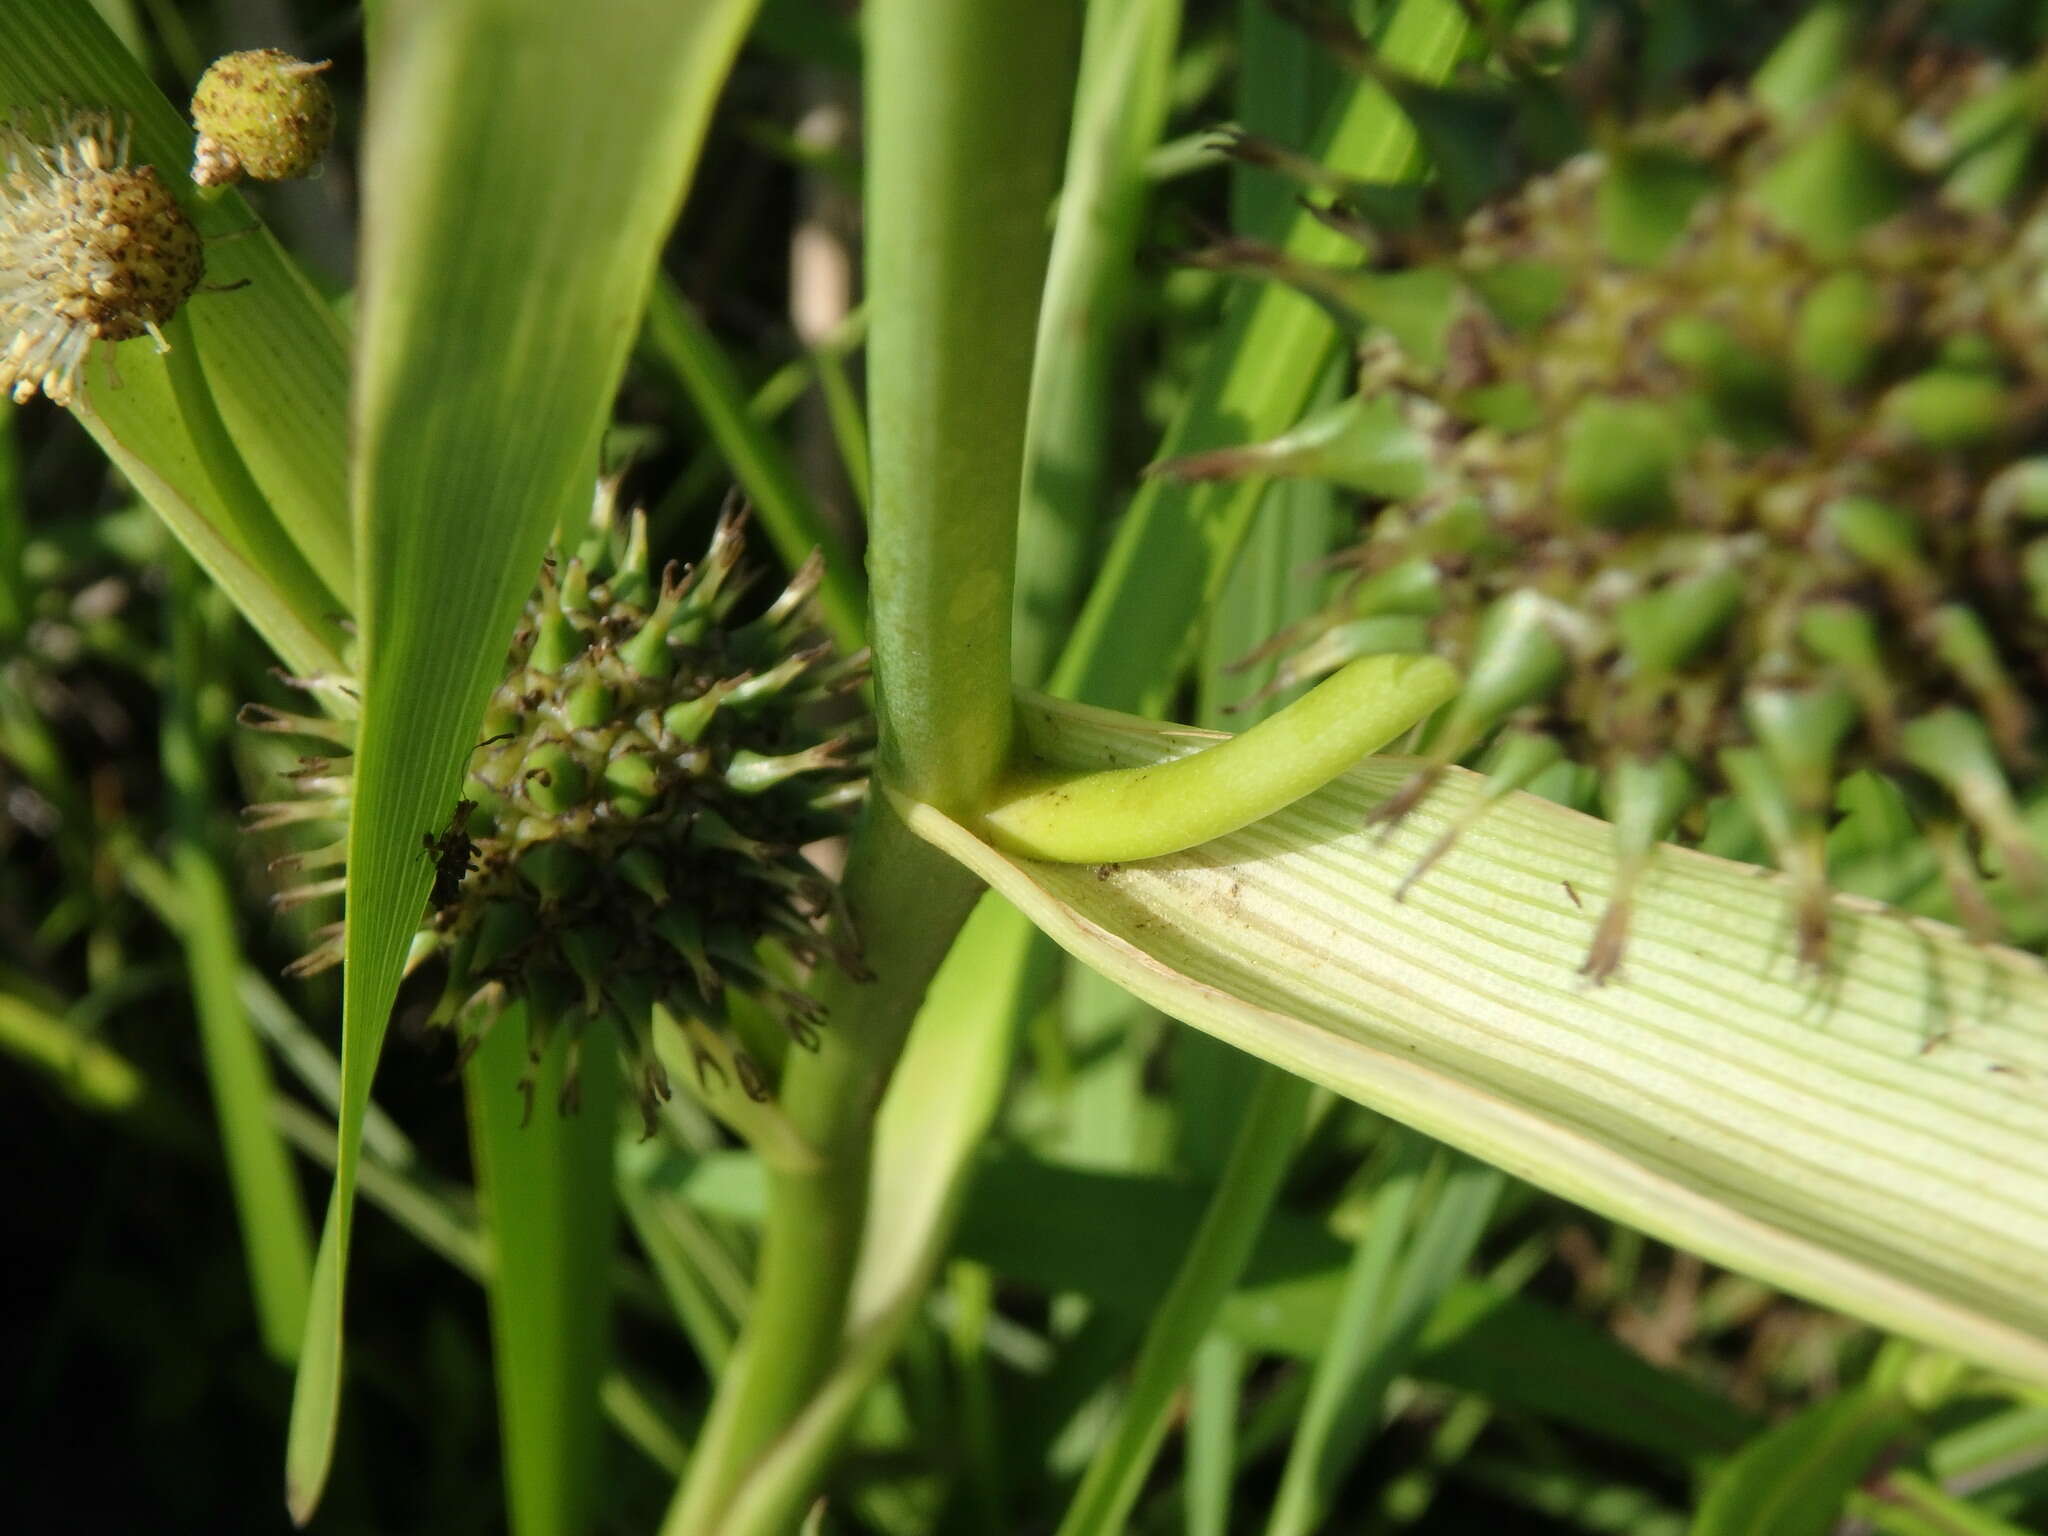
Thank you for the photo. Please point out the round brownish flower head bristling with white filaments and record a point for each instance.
(91, 251)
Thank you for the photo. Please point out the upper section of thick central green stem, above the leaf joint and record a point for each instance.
(968, 101)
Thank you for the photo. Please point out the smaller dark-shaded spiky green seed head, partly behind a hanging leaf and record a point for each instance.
(630, 830)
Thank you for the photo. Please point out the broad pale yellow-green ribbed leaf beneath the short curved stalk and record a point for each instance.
(1875, 1138)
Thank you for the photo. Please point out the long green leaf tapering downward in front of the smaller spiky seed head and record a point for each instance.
(482, 390)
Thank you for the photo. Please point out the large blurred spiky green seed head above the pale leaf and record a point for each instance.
(1730, 450)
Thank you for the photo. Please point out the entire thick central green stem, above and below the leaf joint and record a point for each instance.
(968, 103)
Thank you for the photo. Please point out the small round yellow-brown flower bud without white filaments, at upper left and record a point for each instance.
(263, 116)
